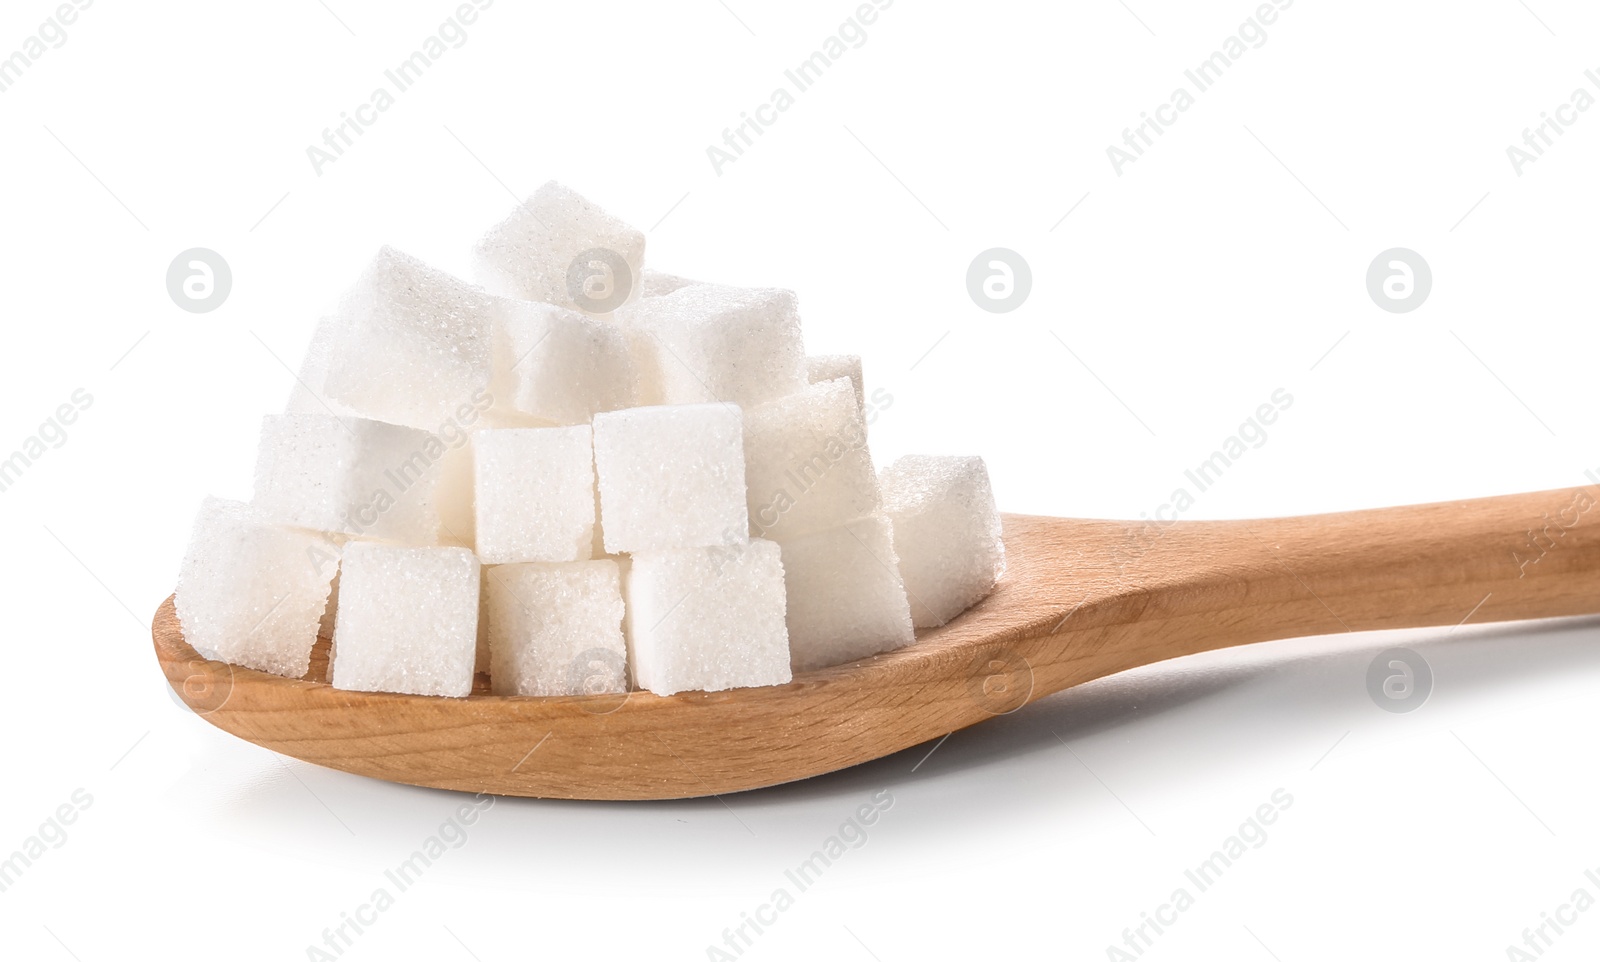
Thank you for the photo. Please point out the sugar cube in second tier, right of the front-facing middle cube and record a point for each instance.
(807, 463)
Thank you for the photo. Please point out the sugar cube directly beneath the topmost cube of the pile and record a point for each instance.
(559, 366)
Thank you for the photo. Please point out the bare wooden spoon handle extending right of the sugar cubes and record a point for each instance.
(1164, 591)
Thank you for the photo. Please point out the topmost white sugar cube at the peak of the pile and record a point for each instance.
(561, 249)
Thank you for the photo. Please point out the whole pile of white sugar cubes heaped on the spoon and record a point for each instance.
(580, 478)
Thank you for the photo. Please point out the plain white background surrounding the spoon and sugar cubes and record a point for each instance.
(1226, 263)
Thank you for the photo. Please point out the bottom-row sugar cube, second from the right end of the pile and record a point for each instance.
(846, 595)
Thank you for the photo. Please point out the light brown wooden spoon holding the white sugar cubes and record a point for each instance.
(1081, 599)
